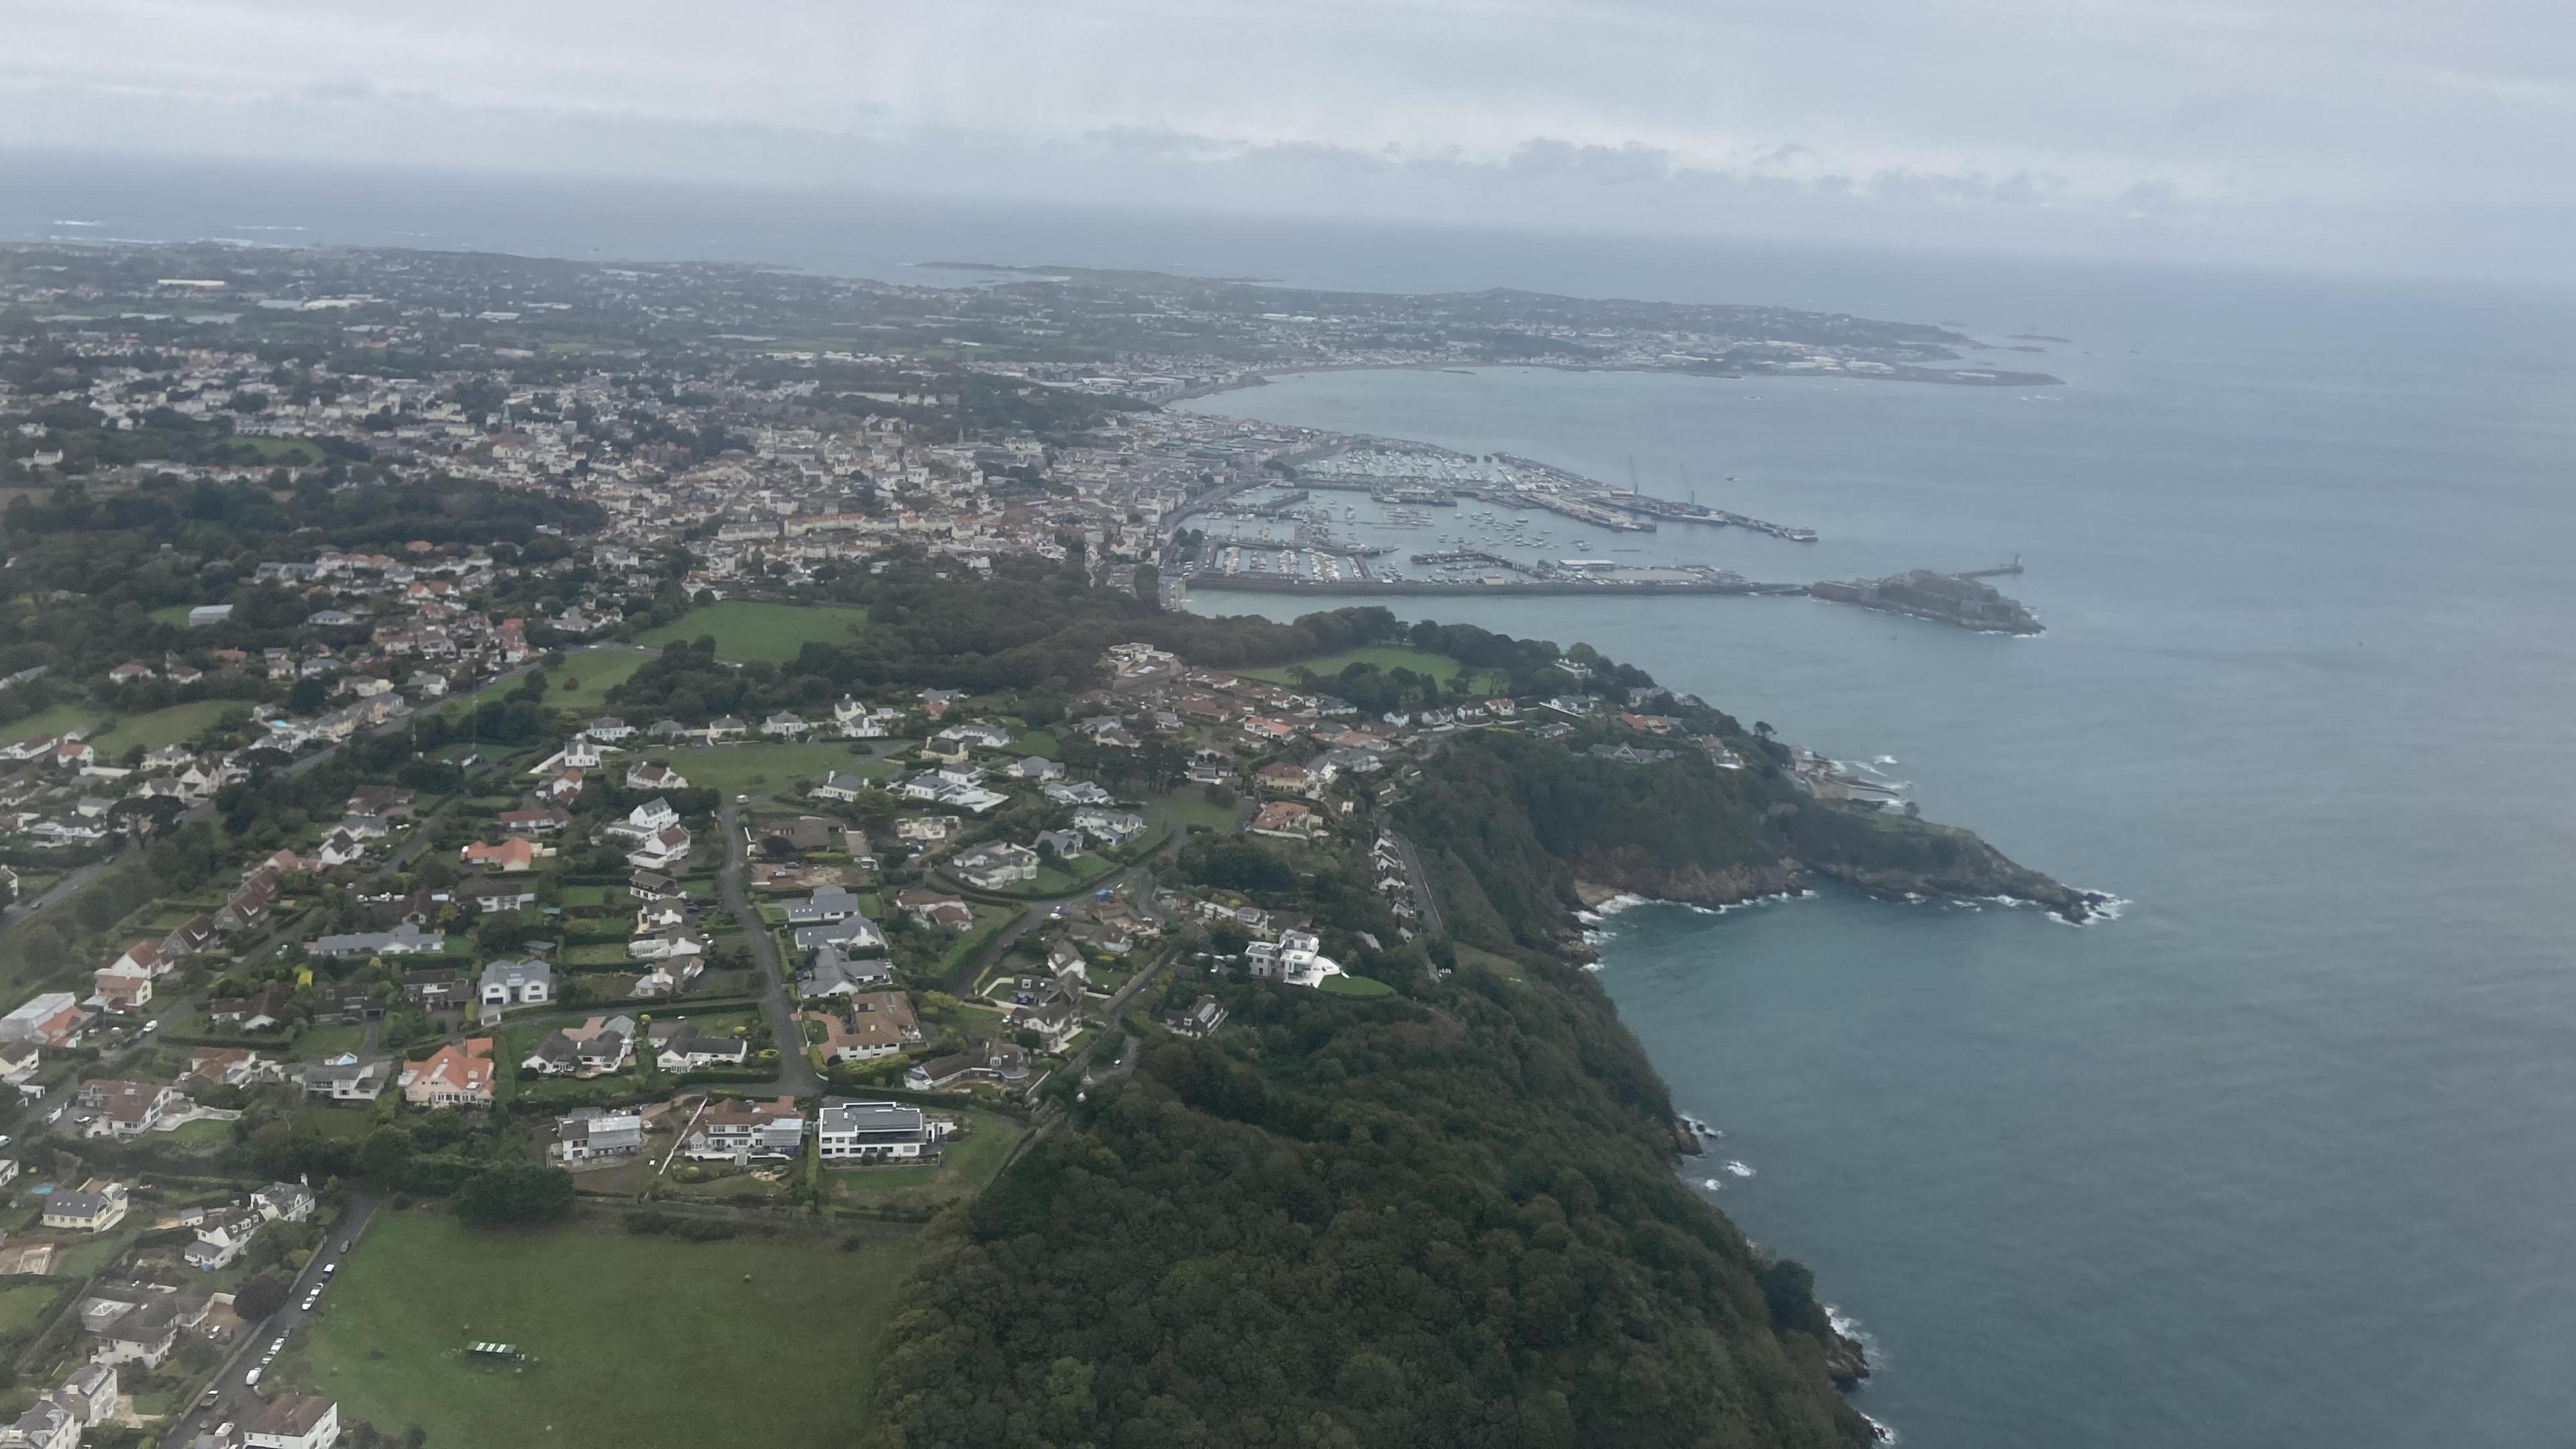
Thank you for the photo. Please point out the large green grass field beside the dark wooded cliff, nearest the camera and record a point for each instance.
(630, 1339)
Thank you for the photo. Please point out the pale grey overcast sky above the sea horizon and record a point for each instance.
(2407, 135)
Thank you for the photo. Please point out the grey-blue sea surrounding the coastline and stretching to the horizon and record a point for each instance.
(2284, 1154)
